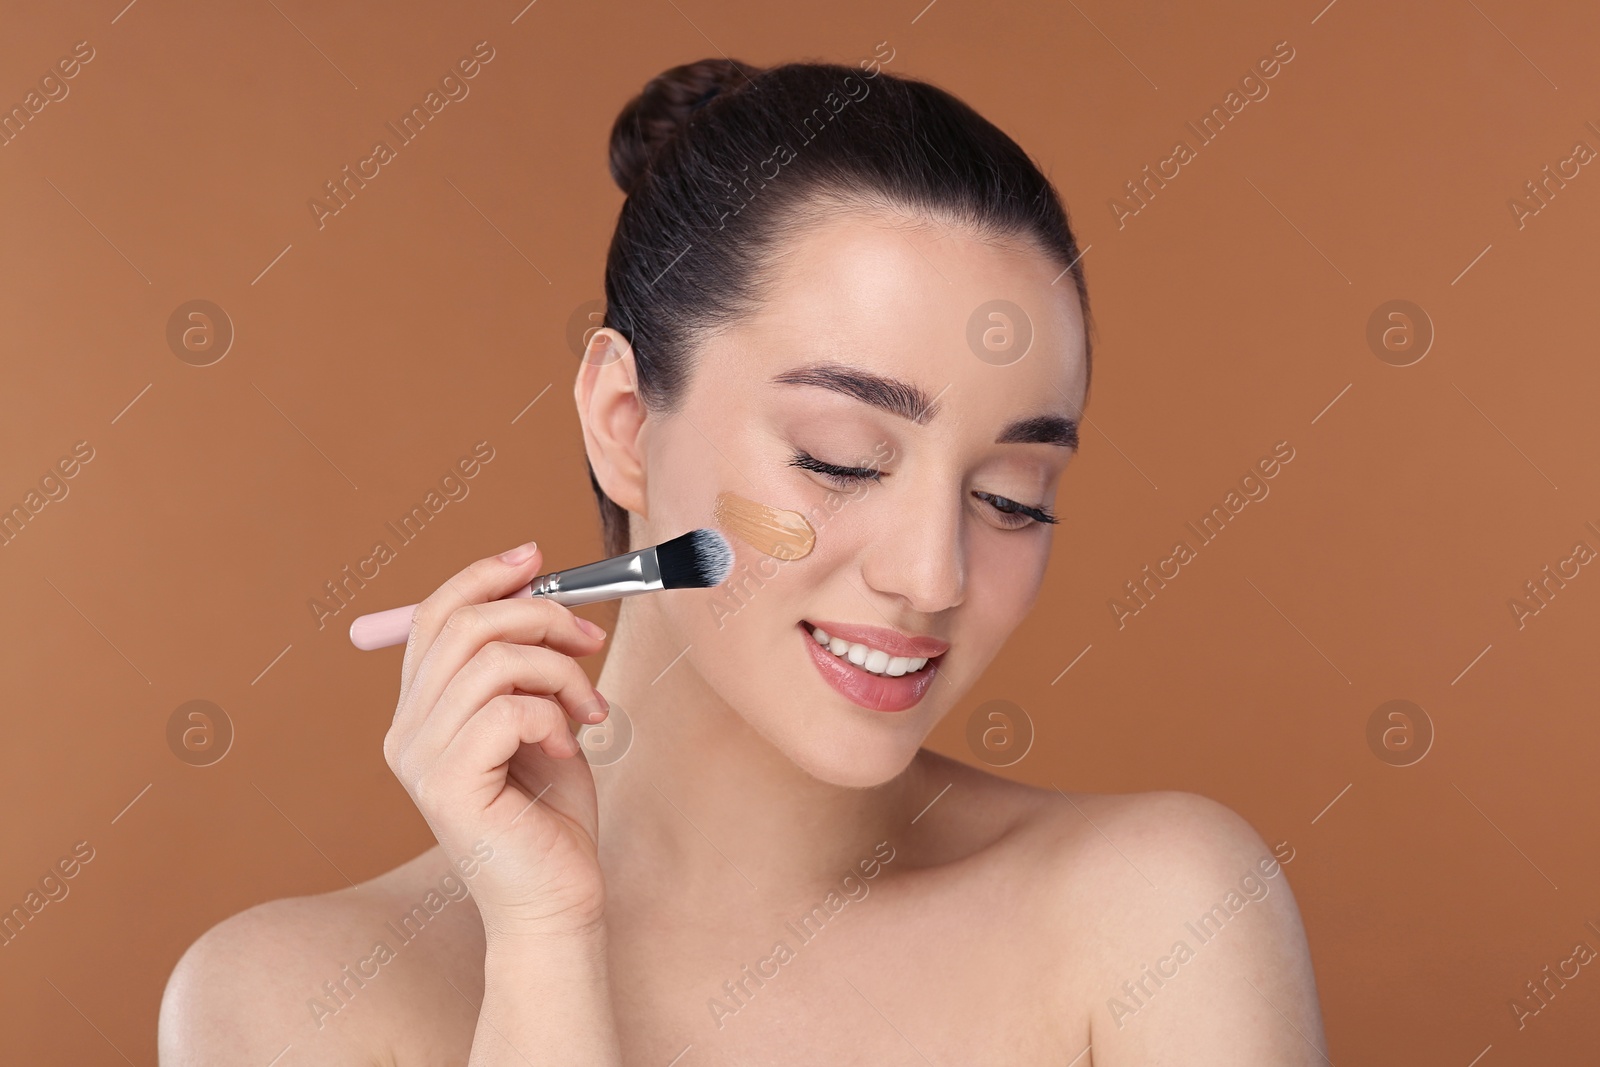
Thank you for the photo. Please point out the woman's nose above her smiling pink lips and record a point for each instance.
(921, 559)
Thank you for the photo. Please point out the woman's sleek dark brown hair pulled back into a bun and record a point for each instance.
(697, 154)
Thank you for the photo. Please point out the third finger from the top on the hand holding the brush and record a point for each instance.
(502, 669)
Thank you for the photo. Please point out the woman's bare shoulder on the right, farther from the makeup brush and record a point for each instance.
(1174, 921)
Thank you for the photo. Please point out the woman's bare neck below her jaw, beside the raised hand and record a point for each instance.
(703, 802)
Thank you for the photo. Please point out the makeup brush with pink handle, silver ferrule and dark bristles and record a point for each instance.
(695, 561)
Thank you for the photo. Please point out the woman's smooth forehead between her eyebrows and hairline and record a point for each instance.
(922, 302)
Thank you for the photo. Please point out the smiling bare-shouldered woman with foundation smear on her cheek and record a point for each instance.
(802, 310)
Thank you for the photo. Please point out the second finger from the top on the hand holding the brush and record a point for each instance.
(470, 629)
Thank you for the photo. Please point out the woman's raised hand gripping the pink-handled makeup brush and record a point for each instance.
(484, 745)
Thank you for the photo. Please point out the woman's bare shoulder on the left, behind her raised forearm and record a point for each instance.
(329, 975)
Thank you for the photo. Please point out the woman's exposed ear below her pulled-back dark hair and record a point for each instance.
(614, 418)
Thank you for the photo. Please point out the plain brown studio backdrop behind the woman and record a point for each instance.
(426, 316)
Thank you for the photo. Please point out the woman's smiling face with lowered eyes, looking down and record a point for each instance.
(874, 351)
